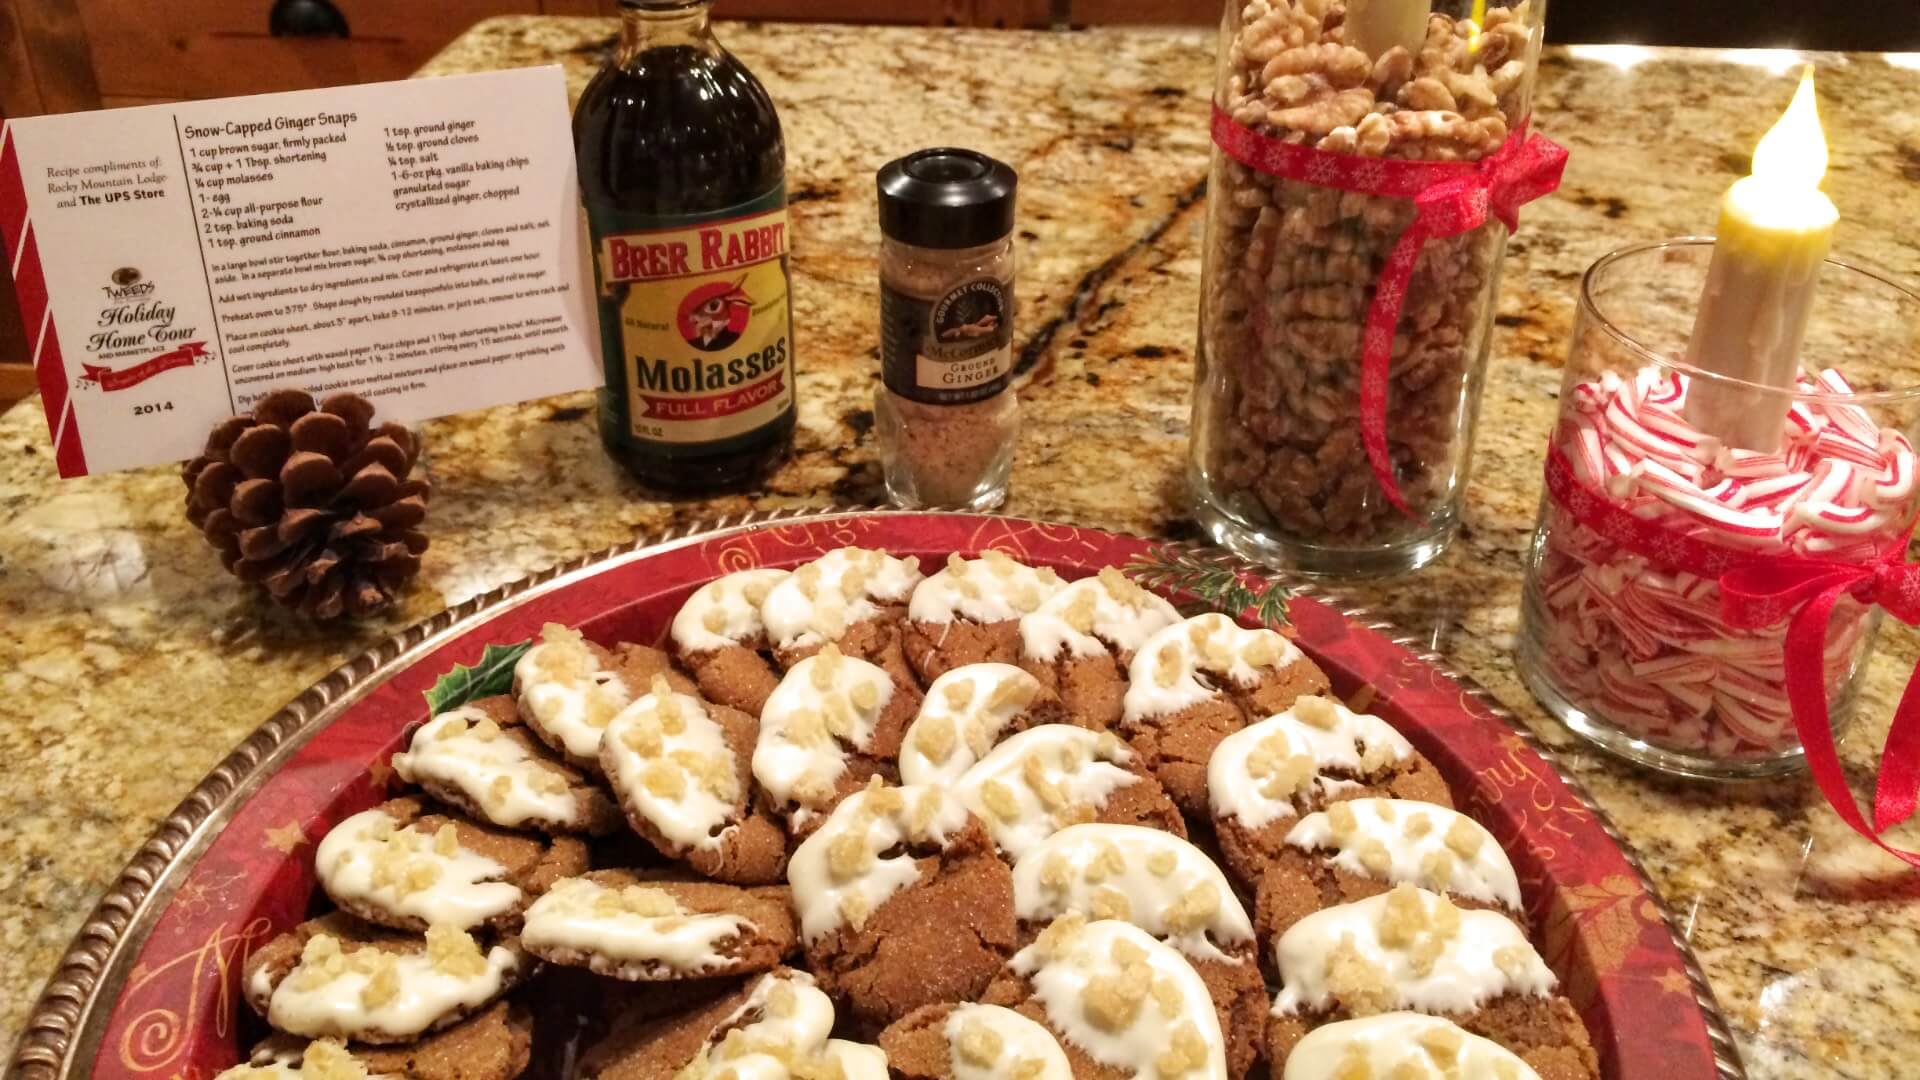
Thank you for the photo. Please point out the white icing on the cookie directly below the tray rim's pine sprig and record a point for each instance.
(1180, 666)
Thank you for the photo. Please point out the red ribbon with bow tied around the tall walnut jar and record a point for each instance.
(1449, 199)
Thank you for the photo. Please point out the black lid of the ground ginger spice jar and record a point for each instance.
(948, 199)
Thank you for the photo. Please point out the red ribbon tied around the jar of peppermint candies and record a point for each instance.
(1762, 591)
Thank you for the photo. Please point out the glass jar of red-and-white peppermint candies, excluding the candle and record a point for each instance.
(1702, 606)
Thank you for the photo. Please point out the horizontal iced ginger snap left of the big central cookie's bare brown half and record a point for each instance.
(656, 931)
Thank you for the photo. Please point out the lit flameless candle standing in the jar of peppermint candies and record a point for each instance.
(1777, 228)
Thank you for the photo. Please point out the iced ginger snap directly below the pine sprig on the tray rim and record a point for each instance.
(1199, 681)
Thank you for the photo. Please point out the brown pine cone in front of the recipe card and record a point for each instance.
(312, 504)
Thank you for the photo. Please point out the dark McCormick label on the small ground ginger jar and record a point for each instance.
(953, 349)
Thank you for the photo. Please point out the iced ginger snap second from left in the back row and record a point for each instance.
(850, 597)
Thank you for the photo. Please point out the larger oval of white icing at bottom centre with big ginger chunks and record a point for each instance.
(1090, 981)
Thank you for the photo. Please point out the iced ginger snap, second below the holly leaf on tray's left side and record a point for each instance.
(408, 868)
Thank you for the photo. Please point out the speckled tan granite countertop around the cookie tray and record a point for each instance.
(130, 664)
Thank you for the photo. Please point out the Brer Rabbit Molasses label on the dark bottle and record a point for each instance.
(696, 322)
